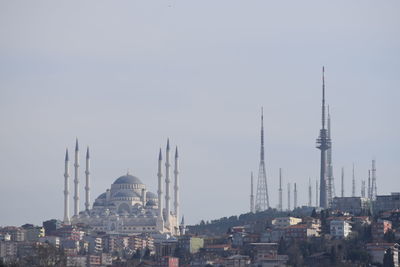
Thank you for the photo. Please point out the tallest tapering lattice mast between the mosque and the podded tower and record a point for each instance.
(262, 201)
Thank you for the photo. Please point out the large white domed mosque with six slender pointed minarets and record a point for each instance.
(127, 207)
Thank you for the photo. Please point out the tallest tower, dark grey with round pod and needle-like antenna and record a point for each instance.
(323, 144)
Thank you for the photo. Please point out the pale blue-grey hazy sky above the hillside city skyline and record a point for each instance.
(123, 76)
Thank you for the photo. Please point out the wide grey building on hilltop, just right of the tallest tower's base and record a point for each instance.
(352, 205)
